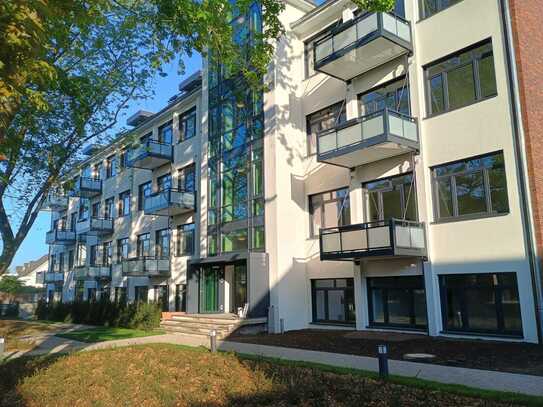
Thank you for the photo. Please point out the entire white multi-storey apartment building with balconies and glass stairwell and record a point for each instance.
(380, 183)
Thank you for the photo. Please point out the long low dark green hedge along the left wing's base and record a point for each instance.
(138, 315)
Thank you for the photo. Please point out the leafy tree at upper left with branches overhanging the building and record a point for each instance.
(69, 68)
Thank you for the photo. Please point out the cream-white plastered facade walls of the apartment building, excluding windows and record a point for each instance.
(490, 245)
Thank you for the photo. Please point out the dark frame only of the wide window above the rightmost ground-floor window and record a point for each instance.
(486, 184)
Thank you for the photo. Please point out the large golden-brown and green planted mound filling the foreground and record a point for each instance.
(164, 375)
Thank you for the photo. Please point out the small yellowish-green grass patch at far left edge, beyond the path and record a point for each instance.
(14, 330)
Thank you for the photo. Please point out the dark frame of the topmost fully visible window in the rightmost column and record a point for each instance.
(443, 74)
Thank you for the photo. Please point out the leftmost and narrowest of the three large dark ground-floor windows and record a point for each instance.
(333, 301)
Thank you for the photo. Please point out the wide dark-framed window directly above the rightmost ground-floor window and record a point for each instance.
(472, 188)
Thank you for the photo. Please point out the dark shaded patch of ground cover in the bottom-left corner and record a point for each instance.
(13, 372)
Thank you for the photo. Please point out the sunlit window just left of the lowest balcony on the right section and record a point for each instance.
(329, 209)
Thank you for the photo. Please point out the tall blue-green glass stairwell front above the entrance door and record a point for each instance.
(236, 124)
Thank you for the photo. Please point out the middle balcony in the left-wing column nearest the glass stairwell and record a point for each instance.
(170, 202)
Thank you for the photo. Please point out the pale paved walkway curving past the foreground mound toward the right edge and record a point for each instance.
(483, 379)
